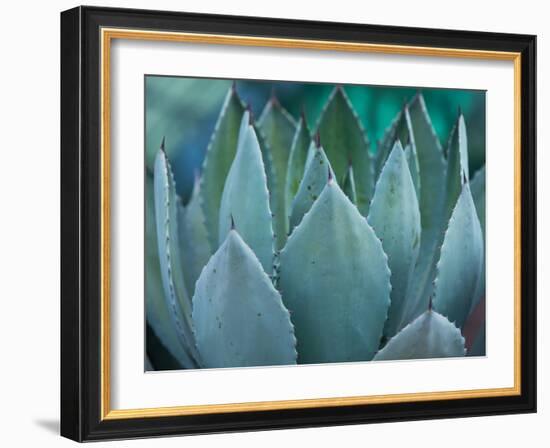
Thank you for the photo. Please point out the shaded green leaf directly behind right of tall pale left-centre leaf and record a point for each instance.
(279, 128)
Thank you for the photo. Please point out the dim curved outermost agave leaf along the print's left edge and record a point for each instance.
(155, 304)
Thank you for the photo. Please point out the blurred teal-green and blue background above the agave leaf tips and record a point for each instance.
(184, 110)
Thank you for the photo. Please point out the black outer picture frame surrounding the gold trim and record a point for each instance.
(81, 210)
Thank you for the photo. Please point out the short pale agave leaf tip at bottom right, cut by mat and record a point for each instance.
(430, 335)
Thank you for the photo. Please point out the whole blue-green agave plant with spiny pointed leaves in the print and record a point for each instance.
(309, 247)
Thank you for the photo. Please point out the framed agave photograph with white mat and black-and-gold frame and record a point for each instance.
(274, 224)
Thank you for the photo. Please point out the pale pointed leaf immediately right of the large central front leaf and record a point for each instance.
(395, 217)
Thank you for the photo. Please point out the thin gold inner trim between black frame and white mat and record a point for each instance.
(107, 35)
